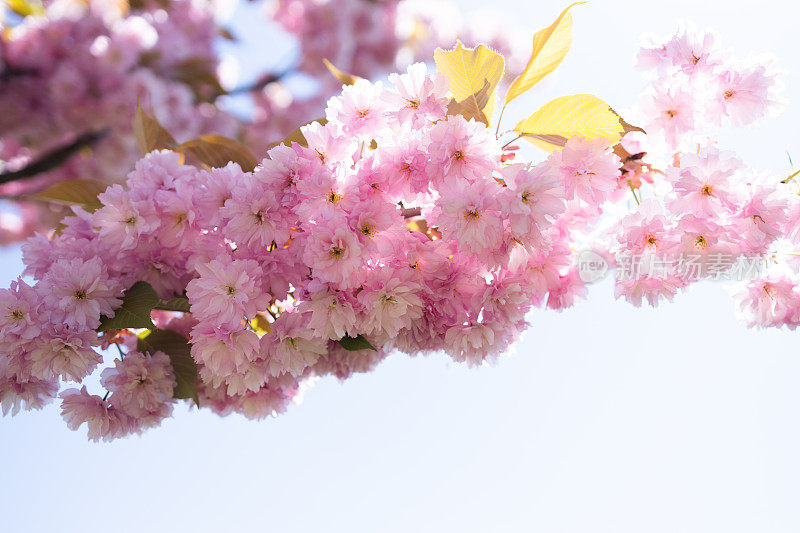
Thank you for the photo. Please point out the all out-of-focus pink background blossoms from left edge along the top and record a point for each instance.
(79, 69)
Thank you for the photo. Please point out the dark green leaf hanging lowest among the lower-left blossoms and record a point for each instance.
(176, 346)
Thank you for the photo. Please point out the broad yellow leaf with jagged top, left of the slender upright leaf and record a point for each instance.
(469, 71)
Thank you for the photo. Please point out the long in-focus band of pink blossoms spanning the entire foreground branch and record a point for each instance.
(395, 227)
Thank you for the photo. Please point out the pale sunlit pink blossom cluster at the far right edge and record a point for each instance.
(707, 216)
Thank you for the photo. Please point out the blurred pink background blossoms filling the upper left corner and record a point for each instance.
(79, 69)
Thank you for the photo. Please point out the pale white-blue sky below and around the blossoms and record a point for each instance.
(608, 418)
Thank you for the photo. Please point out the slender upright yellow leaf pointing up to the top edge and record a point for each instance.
(550, 46)
